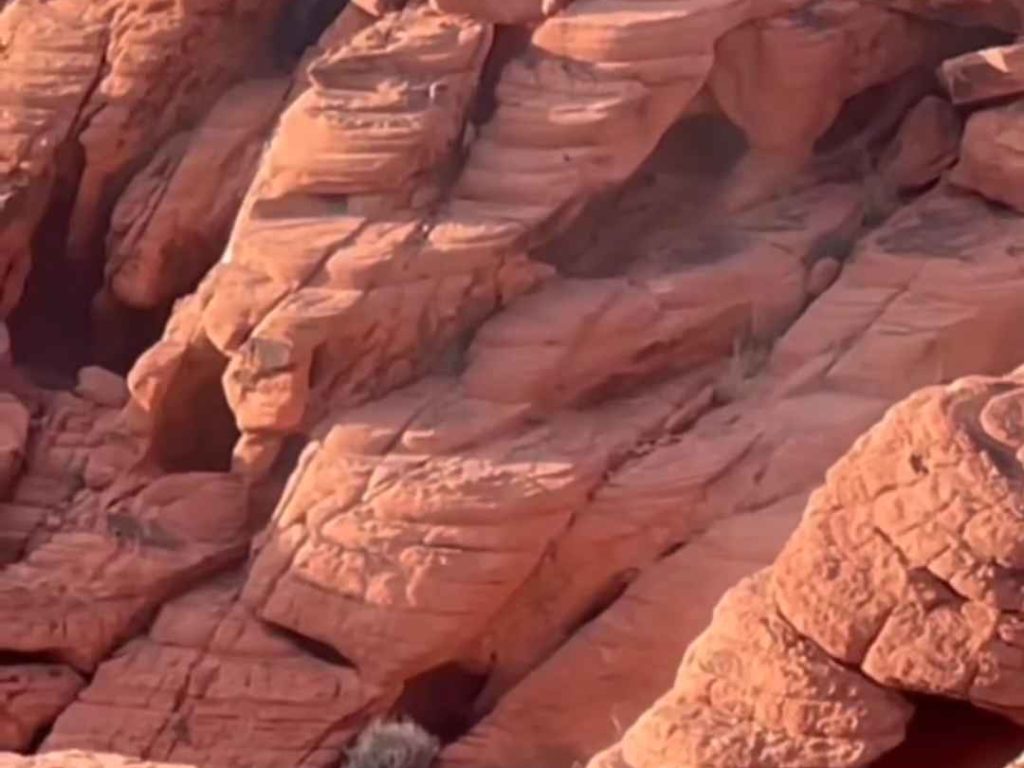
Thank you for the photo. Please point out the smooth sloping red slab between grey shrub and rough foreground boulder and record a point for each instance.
(590, 691)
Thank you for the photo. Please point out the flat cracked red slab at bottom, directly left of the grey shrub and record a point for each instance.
(210, 686)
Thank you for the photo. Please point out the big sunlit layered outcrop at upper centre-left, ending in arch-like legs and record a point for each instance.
(515, 181)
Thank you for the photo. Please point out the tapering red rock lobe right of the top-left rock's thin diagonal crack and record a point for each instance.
(166, 66)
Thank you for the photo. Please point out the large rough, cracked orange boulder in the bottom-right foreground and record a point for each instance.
(903, 568)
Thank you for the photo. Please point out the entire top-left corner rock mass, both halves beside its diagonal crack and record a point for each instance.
(92, 90)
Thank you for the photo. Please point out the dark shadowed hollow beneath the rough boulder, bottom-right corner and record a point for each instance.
(955, 735)
